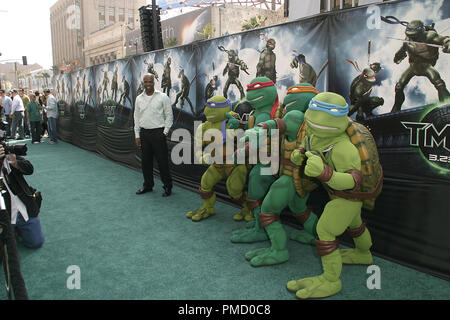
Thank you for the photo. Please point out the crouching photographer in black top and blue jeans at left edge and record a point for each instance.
(20, 199)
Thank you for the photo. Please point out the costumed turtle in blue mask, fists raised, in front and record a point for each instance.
(342, 155)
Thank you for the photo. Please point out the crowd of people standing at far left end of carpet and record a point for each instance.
(31, 115)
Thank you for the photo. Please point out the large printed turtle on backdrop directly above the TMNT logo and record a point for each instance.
(422, 59)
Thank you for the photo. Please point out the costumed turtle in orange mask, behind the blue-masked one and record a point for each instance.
(289, 190)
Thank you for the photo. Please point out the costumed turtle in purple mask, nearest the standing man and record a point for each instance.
(236, 175)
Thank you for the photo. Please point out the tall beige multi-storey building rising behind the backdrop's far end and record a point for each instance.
(88, 32)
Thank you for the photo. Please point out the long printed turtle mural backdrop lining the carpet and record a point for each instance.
(395, 86)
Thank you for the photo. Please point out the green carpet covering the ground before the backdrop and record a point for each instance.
(143, 247)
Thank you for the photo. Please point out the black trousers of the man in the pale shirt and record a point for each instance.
(154, 144)
